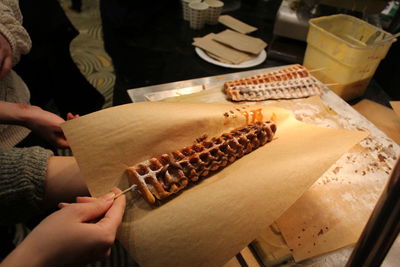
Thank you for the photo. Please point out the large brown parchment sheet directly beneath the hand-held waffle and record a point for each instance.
(209, 223)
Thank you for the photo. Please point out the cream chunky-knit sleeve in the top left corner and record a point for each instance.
(12, 29)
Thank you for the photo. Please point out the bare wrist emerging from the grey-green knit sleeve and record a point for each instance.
(64, 181)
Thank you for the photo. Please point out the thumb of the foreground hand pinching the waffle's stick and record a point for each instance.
(92, 210)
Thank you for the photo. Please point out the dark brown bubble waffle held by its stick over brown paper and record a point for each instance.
(162, 176)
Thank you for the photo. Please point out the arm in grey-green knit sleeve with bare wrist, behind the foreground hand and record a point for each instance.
(32, 180)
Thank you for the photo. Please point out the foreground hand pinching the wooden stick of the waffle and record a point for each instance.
(77, 233)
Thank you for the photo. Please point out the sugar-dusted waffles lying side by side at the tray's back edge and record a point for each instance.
(291, 82)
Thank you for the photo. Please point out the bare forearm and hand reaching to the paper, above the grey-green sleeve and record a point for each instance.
(42, 122)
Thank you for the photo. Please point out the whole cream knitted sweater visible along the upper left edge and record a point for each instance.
(12, 87)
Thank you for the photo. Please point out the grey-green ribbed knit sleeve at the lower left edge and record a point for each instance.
(22, 178)
